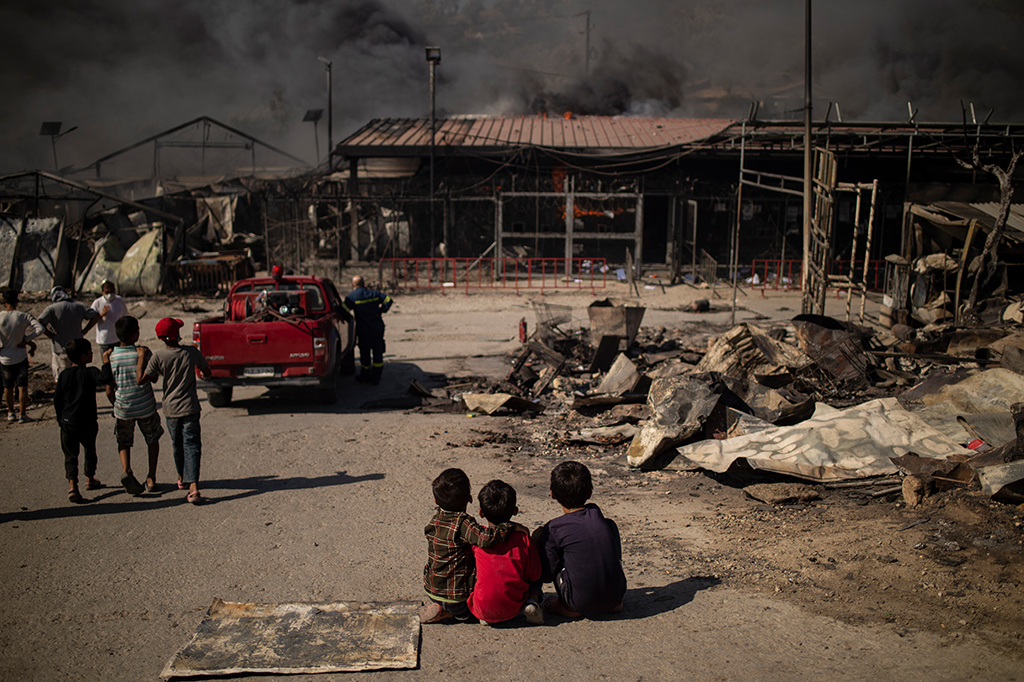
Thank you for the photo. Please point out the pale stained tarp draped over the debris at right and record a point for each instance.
(852, 444)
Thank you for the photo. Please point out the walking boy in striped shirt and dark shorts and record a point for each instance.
(134, 406)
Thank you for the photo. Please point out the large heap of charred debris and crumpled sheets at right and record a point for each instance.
(793, 409)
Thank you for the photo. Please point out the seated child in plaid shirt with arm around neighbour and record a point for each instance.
(448, 576)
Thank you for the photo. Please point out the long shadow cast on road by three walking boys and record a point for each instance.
(246, 488)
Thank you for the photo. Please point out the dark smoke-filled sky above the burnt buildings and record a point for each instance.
(123, 70)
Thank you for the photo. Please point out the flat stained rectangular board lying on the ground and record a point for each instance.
(293, 638)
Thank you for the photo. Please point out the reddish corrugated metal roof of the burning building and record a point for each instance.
(584, 134)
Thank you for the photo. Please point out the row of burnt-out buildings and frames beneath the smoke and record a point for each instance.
(704, 198)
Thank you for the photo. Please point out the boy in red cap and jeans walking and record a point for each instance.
(179, 366)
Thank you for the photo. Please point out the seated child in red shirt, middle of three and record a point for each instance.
(505, 571)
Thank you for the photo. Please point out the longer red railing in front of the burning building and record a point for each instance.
(496, 274)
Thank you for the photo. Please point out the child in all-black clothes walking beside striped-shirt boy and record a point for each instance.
(75, 405)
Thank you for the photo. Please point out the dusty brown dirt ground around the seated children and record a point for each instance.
(314, 503)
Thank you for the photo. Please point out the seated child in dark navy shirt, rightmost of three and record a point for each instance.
(581, 551)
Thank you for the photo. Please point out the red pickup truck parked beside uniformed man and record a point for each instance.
(286, 331)
